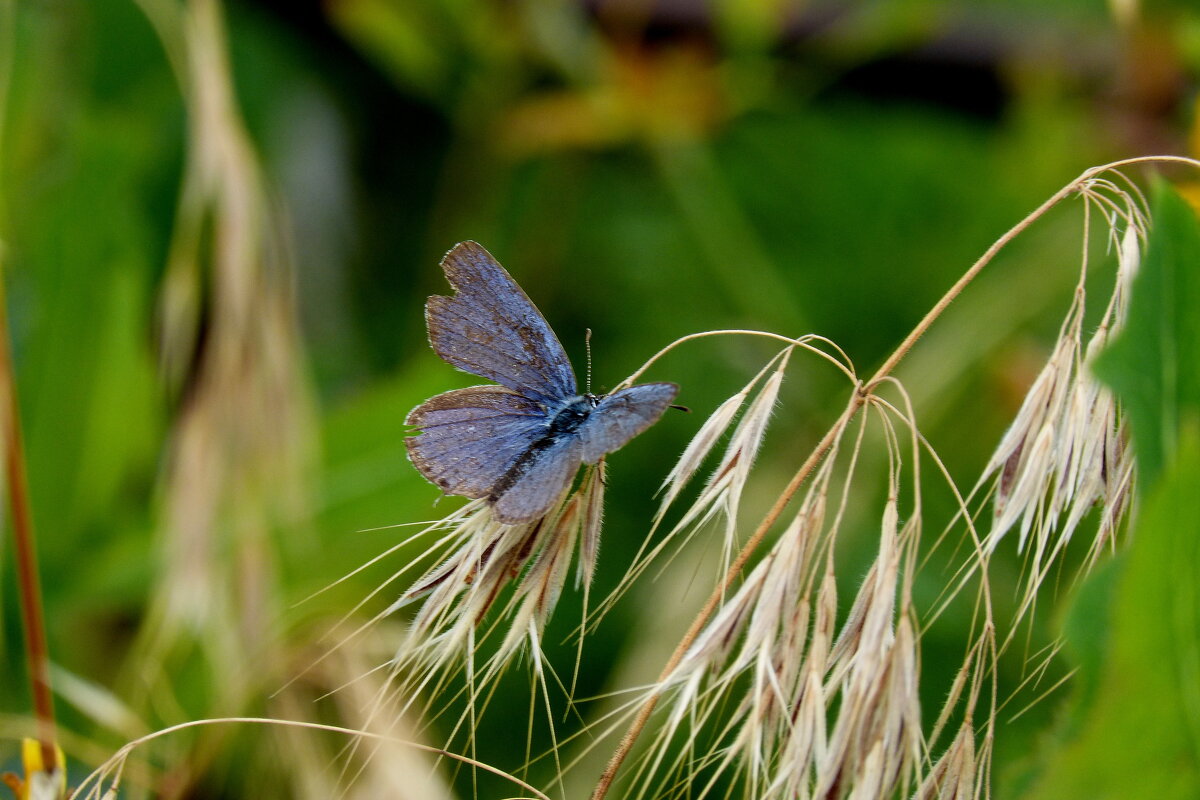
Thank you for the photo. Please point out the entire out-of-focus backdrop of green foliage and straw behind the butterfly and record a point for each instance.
(219, 224)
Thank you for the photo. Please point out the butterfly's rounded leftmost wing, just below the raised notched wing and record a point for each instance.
(471, 438)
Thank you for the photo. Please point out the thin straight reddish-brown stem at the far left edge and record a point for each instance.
(25, 545)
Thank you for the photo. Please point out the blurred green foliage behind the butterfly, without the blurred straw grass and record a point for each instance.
(737, 165)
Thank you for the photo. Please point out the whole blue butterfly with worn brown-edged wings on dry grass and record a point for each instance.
(521, 443)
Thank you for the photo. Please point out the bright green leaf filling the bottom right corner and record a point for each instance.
(1142, 736)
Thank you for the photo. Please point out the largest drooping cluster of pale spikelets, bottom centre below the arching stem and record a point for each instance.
(772, 651)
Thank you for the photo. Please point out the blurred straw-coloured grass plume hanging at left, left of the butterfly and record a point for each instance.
(241, 446)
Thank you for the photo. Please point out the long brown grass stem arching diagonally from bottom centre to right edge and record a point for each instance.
(860, 399)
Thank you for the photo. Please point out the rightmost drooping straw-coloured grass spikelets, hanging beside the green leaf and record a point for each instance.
(1066, 452)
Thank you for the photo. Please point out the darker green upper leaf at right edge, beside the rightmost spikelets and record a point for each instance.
(1153, 364)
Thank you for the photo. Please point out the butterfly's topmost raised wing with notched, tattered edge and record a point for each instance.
(491, 329)
